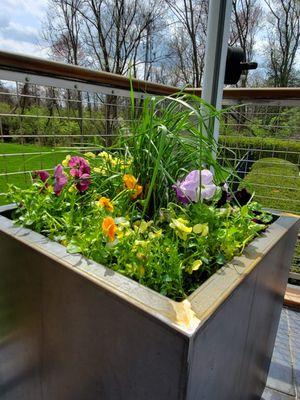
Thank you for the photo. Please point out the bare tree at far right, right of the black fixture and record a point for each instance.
(283, 38)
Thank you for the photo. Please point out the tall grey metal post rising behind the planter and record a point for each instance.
(215, 56)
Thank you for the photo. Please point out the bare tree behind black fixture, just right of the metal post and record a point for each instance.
(246, 15)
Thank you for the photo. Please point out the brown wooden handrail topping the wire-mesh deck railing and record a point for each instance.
(37, 66)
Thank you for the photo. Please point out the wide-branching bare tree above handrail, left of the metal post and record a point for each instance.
(115, 31)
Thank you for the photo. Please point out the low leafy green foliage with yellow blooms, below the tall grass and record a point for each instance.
(172, 254)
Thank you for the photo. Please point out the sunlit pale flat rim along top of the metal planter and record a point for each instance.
(186, 316)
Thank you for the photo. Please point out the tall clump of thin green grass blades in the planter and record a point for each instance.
(167, 141)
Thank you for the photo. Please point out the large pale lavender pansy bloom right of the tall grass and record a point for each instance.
(189, 188)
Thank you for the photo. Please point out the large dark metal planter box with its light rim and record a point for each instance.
(73, 329)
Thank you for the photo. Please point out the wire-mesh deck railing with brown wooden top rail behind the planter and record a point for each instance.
(47, 107)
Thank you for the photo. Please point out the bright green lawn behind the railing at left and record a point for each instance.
(19, 158)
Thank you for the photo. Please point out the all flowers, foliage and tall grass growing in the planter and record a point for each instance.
(156, 209)
